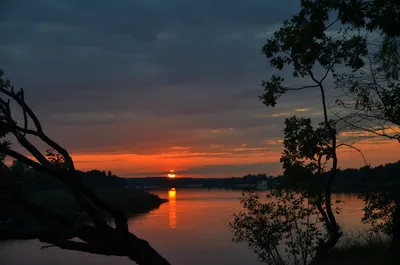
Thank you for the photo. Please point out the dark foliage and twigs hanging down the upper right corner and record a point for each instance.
(374, 89)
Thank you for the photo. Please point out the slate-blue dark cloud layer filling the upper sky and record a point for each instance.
(126, 44)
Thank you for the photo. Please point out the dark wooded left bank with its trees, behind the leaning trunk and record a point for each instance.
(43, 191)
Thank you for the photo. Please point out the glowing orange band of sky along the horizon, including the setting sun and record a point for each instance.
(223, 161)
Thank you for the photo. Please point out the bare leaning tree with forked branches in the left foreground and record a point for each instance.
(60, 229)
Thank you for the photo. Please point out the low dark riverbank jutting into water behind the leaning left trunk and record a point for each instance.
(15, 220)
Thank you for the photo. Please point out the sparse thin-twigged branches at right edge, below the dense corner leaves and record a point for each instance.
(374, 90)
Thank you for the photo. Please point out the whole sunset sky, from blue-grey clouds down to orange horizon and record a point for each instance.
(143, 87)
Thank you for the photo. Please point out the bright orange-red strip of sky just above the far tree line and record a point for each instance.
(193, 164)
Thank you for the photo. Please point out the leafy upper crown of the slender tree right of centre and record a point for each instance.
(303, 43)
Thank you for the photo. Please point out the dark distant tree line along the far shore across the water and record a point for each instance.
(350, 180)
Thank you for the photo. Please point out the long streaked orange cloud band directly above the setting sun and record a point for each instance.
(130, 164)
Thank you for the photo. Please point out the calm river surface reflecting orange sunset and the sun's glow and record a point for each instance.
(192, 228)
